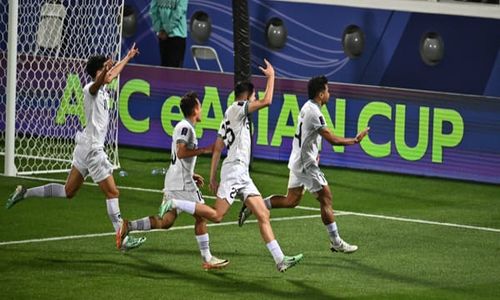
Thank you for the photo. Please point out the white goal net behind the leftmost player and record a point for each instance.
(54, 40)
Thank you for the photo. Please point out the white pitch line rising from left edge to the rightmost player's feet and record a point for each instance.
(83, 236)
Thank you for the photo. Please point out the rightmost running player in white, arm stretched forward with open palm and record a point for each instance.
(303, 163)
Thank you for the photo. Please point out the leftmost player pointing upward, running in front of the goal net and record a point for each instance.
(89, 157)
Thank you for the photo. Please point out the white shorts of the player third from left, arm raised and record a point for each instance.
(236, 182)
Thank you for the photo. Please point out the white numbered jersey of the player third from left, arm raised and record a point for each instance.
(235, 131)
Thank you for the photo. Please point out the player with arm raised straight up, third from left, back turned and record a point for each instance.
(234, 133)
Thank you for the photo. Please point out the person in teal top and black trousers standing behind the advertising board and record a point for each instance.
(169, 23)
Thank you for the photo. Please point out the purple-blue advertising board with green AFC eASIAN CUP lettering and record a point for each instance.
(412, 132)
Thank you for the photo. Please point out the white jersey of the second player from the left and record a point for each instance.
(179, 176)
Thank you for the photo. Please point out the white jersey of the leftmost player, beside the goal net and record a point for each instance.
(97, 115)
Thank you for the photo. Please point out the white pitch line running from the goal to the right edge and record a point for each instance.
(419, 221)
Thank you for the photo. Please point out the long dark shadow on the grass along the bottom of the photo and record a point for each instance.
(217, 281)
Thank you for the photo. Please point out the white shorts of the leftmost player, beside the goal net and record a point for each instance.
(93, 162)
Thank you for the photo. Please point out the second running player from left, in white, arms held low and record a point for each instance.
(182, 183)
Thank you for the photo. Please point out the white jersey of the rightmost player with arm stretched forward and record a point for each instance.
(307, 139)
